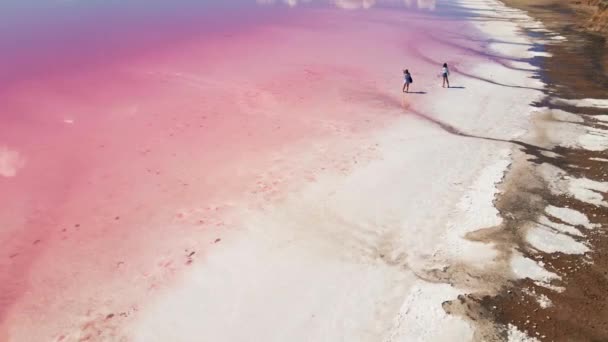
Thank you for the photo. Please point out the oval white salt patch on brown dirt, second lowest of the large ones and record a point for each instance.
(543, 239)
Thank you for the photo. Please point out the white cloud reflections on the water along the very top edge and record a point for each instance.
(359, 4)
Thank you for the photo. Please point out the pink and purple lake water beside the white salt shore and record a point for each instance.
(128, 128)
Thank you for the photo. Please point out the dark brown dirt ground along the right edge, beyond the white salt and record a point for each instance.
(579, 313)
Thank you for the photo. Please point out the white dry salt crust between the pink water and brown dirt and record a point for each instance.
(352, 262)
